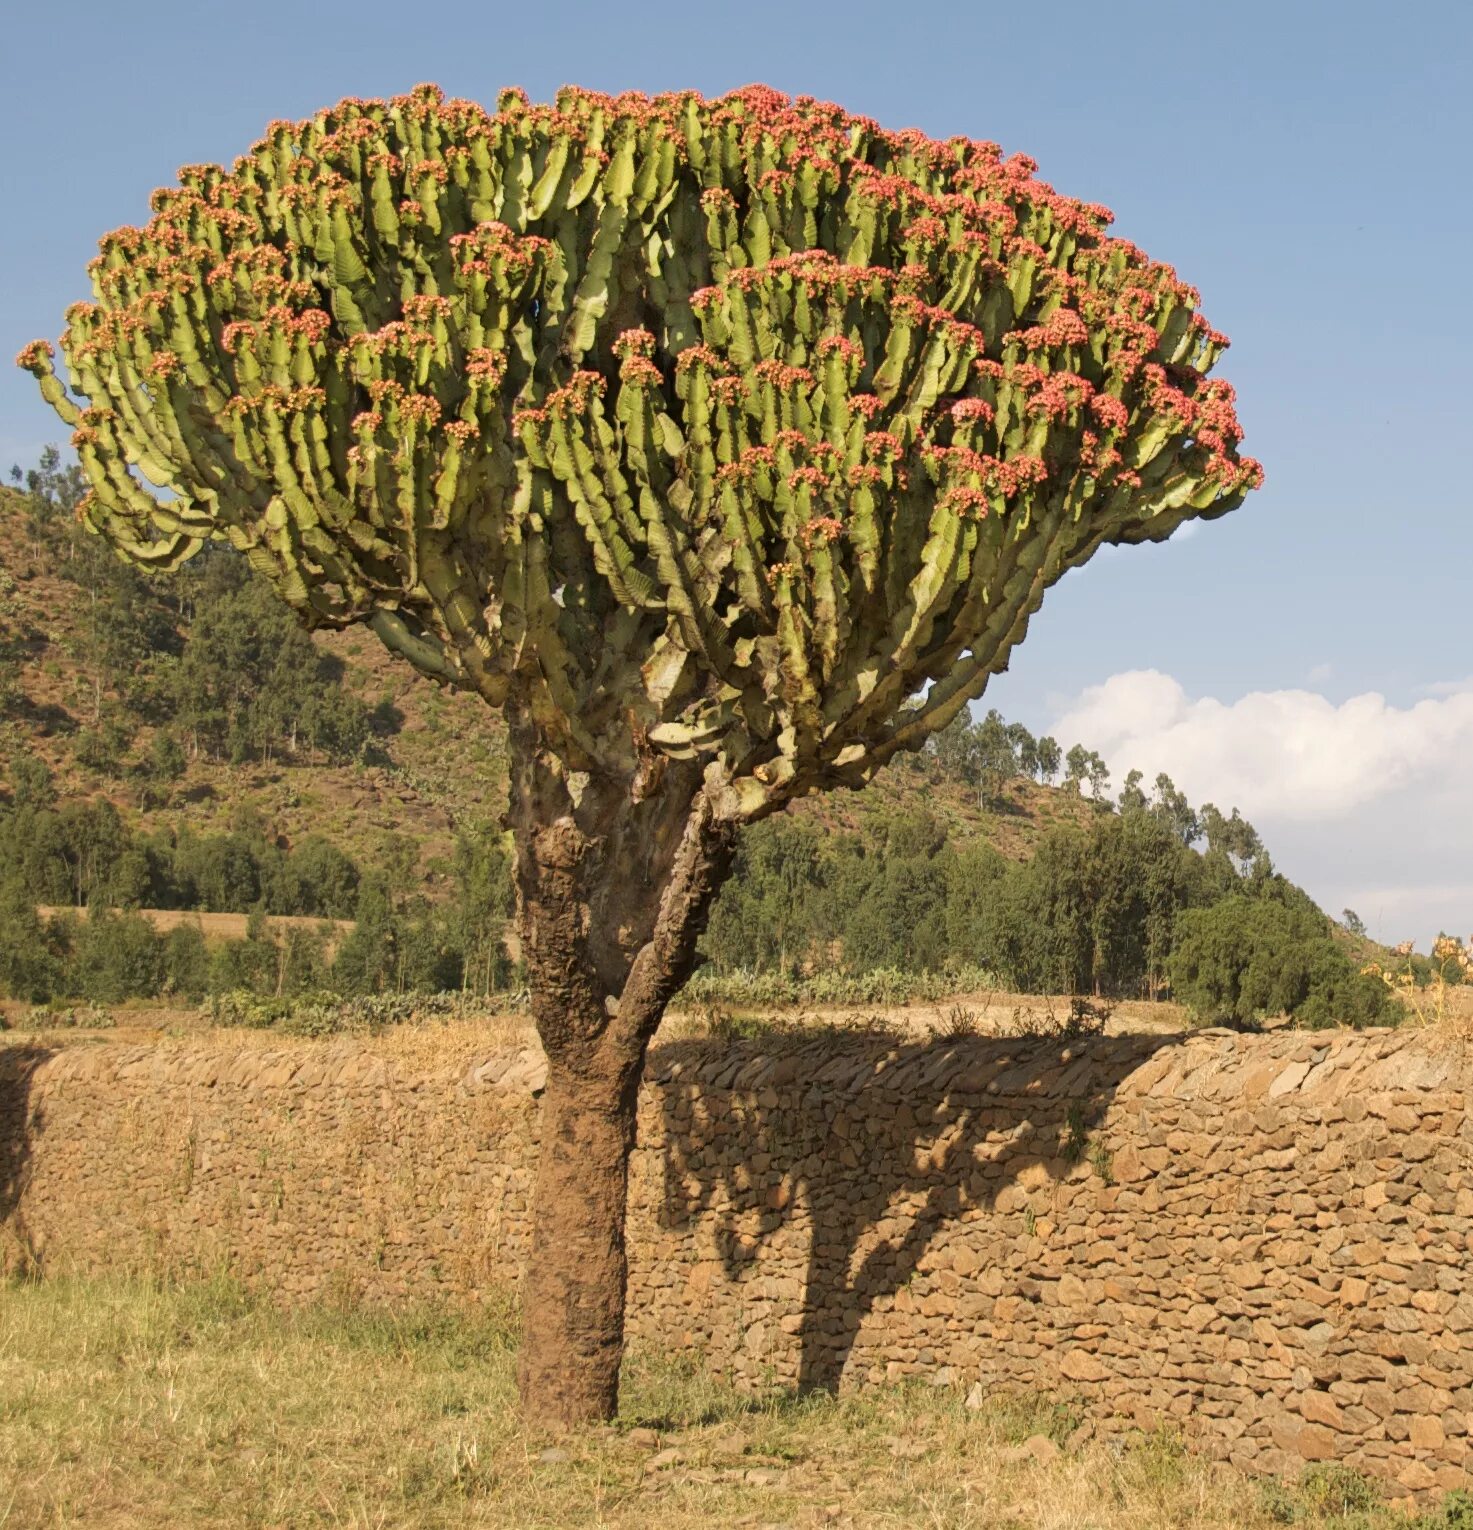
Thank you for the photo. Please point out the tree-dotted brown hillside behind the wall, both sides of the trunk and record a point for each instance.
(181, 744)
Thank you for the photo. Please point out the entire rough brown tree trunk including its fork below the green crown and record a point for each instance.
(616, 882)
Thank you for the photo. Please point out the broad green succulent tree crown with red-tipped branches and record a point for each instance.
(697, 429)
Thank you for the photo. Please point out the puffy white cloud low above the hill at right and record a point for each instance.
(1364, 802)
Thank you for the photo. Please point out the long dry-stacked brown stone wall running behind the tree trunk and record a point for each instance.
(1261, 1240)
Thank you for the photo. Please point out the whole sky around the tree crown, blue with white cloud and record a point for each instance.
(1306, 164)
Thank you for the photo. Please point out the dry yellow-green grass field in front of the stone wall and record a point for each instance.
(193, 1405)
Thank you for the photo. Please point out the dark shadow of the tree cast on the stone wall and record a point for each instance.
(877, 1145)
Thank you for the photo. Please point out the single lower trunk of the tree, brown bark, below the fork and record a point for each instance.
(573, 1294)
